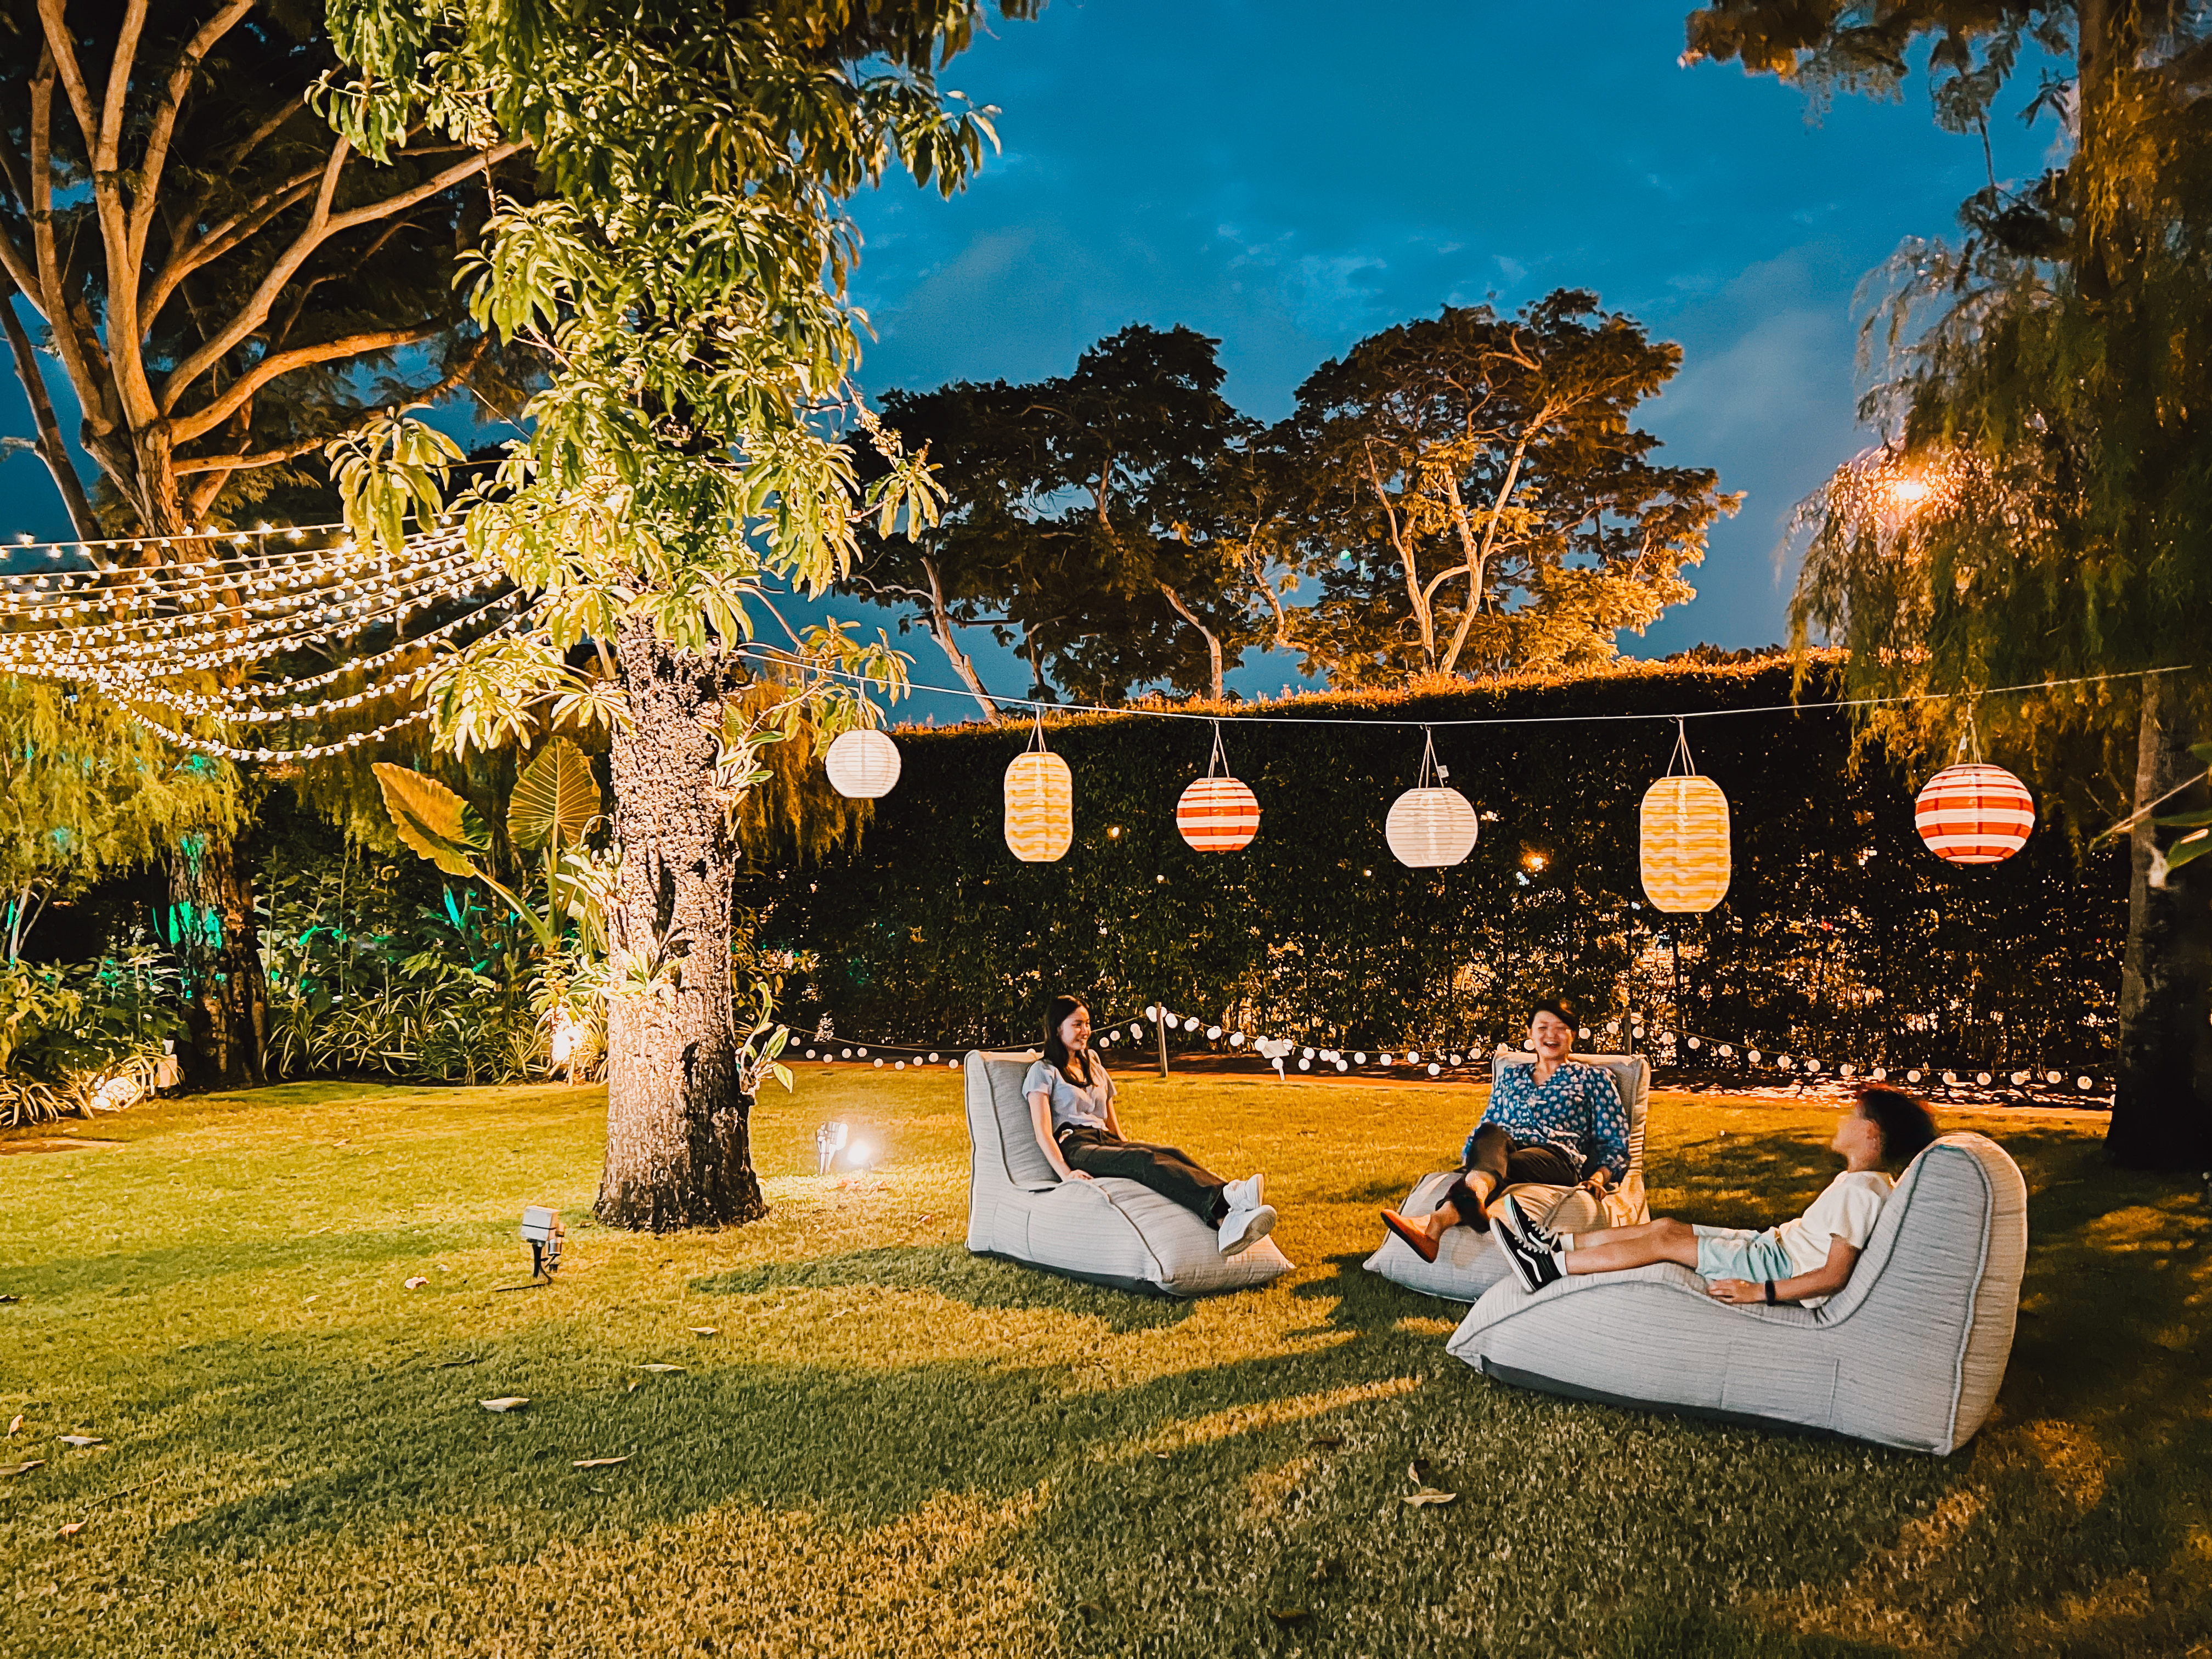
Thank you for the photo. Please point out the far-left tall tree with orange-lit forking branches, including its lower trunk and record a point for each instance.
(227, 286)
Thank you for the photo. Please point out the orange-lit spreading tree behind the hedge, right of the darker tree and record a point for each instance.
(1481, 497)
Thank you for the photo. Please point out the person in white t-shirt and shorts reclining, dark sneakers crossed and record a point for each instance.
(1804, 1260)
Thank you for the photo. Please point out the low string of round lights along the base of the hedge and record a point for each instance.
(1452, 1065)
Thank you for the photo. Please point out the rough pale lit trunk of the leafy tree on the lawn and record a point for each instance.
(678, 1129)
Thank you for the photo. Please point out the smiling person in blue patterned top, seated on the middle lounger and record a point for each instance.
(1554, 1120)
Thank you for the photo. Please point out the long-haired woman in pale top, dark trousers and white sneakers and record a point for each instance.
(1072, 1109)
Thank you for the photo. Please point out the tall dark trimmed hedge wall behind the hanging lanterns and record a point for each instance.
(1841, 935)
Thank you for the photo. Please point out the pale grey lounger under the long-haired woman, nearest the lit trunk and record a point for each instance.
(1112, 1231)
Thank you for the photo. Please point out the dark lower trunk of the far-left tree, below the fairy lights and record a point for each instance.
(220, 941)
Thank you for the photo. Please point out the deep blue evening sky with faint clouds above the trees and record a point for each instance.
(1293, 176)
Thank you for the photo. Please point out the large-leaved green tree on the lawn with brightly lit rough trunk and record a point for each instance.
(687, 278)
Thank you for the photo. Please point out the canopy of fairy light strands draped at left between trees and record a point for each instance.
(198, 627)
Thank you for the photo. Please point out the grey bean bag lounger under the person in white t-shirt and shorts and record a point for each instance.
(1908, 1355)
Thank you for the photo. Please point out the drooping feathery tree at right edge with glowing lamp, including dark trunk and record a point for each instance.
(2041, 512)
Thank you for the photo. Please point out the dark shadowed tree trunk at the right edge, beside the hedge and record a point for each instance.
(2162, 1109)
